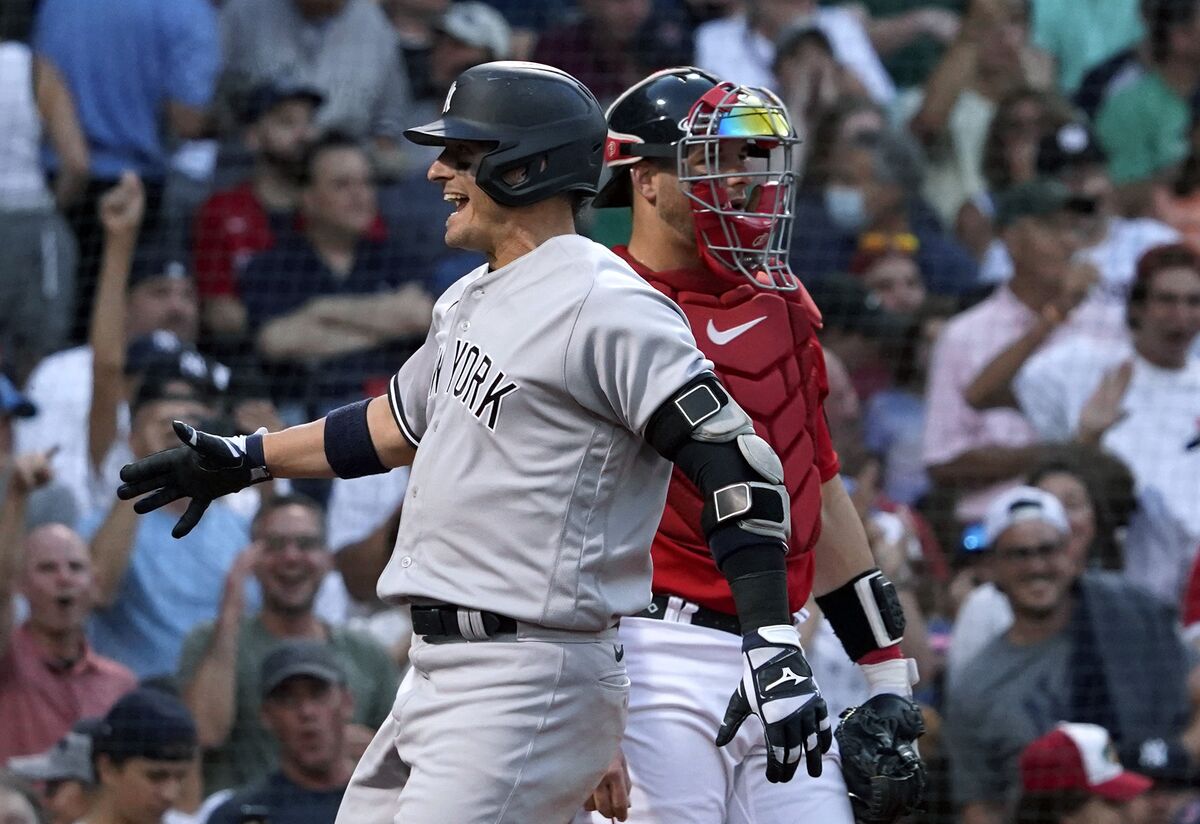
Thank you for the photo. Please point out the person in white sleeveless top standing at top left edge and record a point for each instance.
(37, 284)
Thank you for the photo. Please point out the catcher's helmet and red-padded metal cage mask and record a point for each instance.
(733, 152)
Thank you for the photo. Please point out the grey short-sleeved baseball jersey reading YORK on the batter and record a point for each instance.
(533, 494)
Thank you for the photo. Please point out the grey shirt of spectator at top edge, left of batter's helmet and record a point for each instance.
(346, 50)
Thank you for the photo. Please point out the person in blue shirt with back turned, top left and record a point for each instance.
(142, 73)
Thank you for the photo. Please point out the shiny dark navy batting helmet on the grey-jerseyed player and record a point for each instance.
(538, 118)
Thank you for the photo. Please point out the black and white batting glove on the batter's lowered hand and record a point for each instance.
(778, 687)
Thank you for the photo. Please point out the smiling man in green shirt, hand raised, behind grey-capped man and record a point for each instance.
(220, 667)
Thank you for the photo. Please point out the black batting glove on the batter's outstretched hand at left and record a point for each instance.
(203, 470)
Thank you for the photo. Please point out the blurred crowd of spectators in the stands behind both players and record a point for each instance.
(208, 213)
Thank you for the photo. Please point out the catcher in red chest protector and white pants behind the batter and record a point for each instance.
(706, 169)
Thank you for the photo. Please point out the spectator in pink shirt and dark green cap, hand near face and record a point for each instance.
(979, 450)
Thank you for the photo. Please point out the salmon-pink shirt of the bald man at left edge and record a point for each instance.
(41, 699)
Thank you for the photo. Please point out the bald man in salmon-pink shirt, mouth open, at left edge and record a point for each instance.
(50, 677)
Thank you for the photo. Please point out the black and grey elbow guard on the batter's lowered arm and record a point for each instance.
(709, 436)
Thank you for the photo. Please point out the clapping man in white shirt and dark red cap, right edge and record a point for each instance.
(1139, 401)
